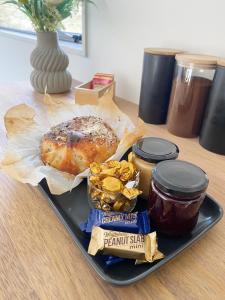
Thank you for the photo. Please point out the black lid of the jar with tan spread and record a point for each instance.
(154, 150)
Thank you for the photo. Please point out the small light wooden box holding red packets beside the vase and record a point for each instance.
(84, 94)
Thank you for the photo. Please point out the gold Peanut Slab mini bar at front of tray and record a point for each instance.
(143, 248)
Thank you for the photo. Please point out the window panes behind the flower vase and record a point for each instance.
(12, 19)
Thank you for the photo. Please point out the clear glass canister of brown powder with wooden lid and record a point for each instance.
(191, 86)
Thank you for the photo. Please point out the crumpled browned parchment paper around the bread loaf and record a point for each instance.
(26, 124)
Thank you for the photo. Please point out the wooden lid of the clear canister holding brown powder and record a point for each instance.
(197, 59)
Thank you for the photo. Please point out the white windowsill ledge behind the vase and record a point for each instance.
(67, 46)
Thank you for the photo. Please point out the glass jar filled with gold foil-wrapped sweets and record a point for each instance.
(112, 186)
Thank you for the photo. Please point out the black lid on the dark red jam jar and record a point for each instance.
(180, 178)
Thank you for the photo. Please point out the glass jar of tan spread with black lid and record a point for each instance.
(147, 153)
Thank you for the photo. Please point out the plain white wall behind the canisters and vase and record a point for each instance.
(118, 30)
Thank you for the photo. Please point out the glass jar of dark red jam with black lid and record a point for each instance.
(178, 190)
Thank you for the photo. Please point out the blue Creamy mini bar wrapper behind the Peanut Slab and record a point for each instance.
(135, 222)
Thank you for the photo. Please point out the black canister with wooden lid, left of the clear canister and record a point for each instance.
(157, 76)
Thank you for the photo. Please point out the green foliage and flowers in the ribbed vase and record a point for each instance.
(46, 15)
